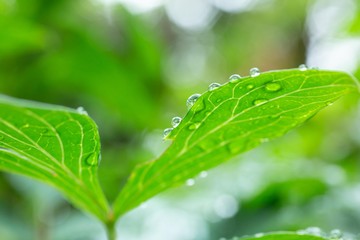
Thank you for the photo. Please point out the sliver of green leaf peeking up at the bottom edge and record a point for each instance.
(280, 236)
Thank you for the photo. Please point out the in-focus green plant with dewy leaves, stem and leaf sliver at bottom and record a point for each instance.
(61, 146)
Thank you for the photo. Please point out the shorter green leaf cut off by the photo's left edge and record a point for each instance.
(56, 145)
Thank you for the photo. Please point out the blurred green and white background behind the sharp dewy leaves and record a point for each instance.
(132, 64)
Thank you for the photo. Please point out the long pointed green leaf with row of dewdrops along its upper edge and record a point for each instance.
(231, 119)
